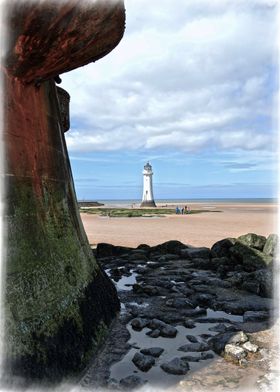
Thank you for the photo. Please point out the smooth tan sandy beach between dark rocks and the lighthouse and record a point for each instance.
(202, 229)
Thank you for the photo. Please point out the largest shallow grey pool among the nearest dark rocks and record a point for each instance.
(156, 376)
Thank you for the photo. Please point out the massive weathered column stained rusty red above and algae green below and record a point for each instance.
(59, 303)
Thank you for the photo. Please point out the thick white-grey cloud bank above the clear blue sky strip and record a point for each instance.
(187, 75)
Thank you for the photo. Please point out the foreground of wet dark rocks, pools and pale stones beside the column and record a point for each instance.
(192, 318)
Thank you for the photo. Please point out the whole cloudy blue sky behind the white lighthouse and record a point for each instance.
(191, 88)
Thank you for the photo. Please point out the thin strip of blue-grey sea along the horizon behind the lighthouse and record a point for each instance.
(185, 201)
